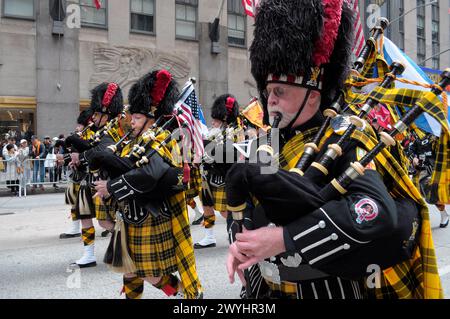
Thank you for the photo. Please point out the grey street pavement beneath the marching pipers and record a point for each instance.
(34, 261)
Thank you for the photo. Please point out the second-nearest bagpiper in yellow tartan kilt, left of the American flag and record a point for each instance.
(152, 220)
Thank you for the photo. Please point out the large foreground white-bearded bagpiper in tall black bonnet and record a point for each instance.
(310, 237)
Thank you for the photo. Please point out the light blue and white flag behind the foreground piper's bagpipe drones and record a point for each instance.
(412, 72)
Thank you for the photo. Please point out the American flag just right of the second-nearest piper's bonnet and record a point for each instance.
(192, 115)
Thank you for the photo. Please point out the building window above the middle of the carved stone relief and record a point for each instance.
(142, 16)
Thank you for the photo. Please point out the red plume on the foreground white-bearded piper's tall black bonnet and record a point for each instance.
(332, 10)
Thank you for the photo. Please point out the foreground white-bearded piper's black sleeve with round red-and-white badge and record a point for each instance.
(340, 226)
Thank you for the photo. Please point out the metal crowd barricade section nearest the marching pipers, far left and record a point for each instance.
(40, 172)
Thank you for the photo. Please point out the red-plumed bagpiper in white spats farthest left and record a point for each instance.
(106, 106)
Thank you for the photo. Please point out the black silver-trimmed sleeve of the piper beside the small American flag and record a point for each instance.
(138, 181)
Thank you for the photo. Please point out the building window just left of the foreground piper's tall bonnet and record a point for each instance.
(236, 23)
